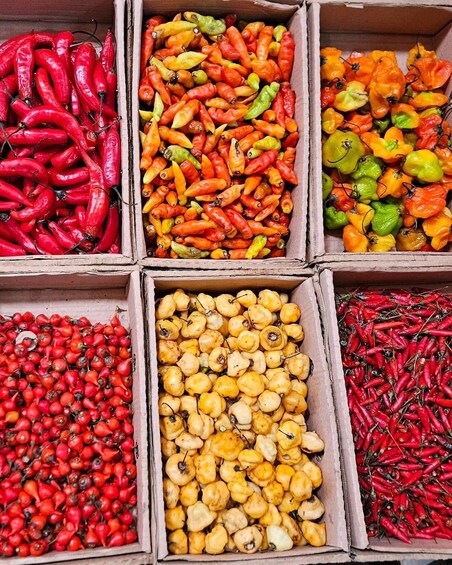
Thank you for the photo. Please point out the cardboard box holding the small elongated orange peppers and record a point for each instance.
(248, 10)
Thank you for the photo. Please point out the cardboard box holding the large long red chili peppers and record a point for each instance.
(16, 17)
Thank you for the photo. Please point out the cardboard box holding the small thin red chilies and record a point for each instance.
(331, 281)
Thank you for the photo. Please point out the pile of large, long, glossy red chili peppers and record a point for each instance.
(60, 146)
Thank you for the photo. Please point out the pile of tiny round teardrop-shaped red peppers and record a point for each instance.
(67, 461)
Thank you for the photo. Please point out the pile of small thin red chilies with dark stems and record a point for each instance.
(397, 359)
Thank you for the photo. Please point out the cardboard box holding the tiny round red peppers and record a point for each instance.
(95, 295)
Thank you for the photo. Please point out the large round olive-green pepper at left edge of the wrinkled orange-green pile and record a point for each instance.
(342, 150)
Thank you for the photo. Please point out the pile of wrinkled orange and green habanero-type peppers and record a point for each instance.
(386, 156)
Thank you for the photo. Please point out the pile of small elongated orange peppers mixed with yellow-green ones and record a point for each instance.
(218, 137)
